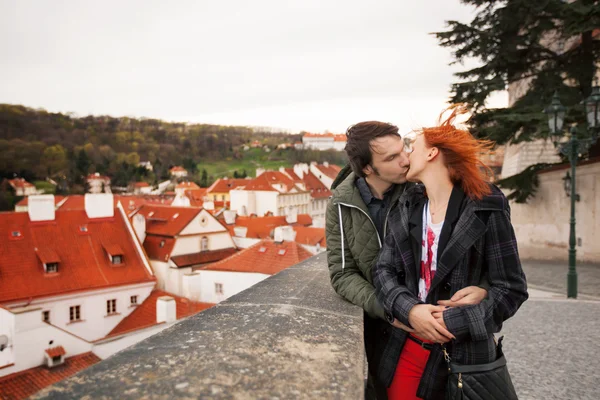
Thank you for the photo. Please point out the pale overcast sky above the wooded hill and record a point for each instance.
(311, 65)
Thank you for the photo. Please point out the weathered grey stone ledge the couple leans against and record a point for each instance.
(288, 337)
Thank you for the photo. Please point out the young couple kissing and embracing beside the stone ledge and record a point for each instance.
(431, 264)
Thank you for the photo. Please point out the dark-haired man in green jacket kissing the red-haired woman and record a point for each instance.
(363, 195)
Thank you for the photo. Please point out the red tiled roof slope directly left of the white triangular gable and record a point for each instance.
(166, 220)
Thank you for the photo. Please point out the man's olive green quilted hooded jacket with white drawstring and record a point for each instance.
(353, 243)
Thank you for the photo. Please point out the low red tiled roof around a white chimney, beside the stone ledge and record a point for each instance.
(144, 316)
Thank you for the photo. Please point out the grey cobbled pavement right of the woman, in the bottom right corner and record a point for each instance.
(553, 348)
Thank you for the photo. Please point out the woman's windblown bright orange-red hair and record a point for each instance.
(461, 153)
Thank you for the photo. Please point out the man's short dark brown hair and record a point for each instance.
(358, 142)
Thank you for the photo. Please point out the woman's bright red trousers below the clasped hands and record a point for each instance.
(408, 372)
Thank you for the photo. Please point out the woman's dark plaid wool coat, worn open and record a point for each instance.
(477, 239)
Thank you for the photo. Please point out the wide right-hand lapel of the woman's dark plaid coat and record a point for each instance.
(468, 228)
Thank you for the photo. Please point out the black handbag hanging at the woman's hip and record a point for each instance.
(480, 381)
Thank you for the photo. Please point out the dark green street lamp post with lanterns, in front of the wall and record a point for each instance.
(572, 148)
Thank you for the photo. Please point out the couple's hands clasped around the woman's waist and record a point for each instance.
(427, 320)
